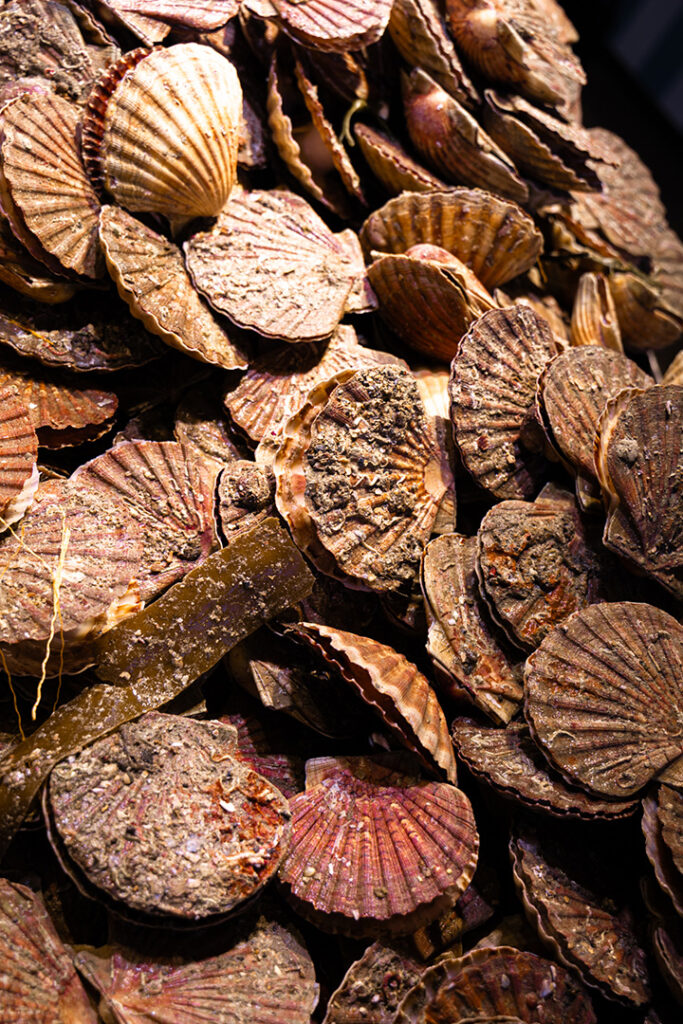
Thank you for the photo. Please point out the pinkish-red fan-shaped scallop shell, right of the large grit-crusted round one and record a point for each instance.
(362, 836)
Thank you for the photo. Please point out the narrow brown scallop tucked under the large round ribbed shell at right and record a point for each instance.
(509, 761)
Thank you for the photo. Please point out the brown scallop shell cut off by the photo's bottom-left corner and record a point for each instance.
(39, 983)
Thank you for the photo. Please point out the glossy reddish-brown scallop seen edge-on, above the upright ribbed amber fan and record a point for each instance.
(453, 142)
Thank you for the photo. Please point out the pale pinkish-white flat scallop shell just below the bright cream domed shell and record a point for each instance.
(272, 265)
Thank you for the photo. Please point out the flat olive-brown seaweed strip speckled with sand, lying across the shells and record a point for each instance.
(221, 603)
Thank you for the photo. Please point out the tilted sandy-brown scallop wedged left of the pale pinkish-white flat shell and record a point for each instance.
(151, 278)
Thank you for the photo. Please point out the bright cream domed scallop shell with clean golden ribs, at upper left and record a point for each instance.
(162, 136)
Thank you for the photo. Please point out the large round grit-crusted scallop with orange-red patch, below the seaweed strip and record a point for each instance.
(177, 785)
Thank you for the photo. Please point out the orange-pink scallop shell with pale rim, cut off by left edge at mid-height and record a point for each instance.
(19, 452)
